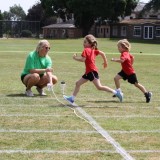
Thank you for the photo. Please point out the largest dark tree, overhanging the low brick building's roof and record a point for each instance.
(87, 11)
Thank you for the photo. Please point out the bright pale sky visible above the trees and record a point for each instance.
(25, 4)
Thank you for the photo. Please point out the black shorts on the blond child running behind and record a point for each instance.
(131, 78)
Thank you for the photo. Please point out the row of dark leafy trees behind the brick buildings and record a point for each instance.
(84, 12)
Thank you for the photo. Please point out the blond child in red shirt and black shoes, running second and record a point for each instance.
(128, 72)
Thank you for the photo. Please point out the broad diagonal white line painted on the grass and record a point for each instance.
(105, 134)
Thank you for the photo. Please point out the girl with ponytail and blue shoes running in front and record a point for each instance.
(88, 56)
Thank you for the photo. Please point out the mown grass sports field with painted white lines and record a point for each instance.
(101, 128)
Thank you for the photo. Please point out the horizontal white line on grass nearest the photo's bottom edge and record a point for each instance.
(73, 151)
